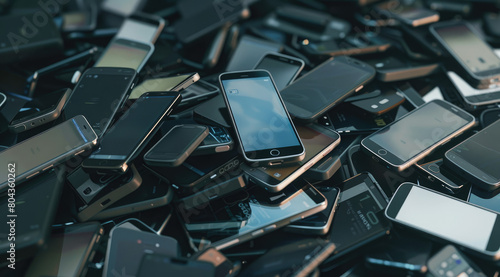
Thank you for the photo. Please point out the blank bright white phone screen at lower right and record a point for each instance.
(447, 218)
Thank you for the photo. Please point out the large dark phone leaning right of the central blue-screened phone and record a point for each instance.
(325, 87)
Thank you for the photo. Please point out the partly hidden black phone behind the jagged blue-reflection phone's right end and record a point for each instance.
(319, 224)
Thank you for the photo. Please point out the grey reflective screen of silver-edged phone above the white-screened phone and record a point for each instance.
(412, 134)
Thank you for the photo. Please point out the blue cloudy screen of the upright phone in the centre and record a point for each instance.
(261, 120)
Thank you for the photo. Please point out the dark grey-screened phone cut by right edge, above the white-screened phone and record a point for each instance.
(477, 157)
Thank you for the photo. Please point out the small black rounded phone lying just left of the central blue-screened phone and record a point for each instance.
(176, 145)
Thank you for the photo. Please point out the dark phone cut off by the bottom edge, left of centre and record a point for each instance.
(155, 264)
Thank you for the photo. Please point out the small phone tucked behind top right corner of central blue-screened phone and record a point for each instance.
(283, 68)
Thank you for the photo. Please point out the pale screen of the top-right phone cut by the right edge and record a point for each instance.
(461, 40)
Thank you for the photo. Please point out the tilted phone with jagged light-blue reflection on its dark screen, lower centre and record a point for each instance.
(250, 213)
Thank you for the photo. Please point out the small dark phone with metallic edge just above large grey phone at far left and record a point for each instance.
(40, 110)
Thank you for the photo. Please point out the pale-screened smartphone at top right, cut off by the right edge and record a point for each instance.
(481, 66)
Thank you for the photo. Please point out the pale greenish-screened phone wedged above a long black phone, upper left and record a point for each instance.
(137, 54)
